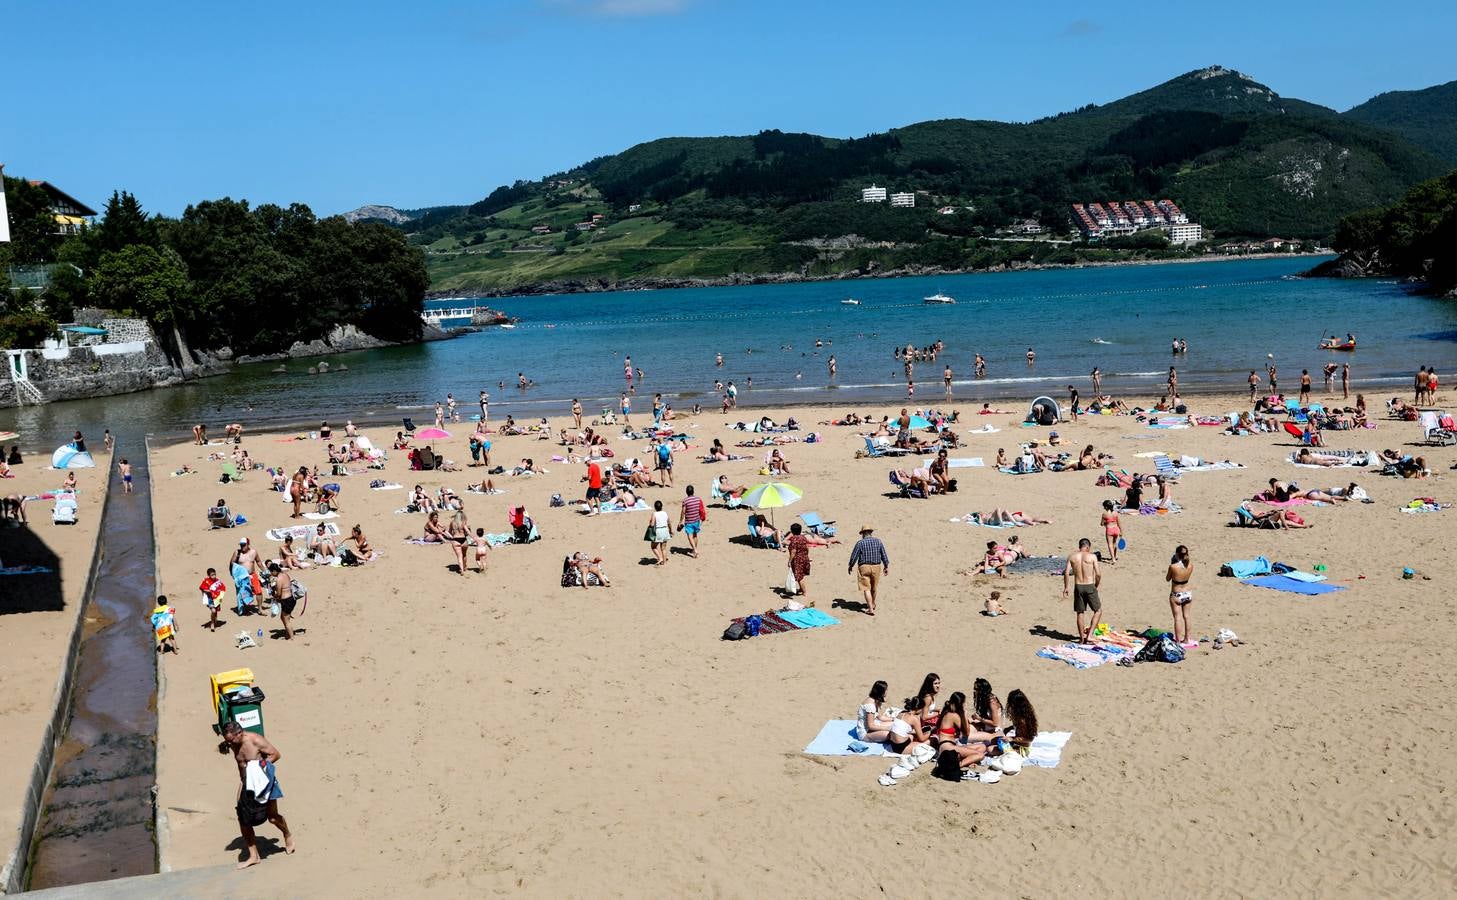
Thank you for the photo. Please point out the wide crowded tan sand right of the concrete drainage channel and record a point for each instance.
(498, 733)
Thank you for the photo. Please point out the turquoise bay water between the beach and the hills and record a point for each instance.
(1120, 320)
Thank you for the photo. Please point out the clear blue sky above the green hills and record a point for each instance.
(417, 103)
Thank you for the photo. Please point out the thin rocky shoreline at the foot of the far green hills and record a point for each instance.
(594, 286)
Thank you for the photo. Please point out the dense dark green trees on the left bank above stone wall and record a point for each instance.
(224, 275)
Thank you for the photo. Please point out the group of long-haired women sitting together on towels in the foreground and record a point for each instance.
(974, 732)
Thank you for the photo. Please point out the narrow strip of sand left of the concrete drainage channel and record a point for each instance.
(34, 630)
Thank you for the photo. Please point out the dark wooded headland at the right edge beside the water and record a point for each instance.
(1413, 238)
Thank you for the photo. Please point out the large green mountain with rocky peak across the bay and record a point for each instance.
(1235, 155)
